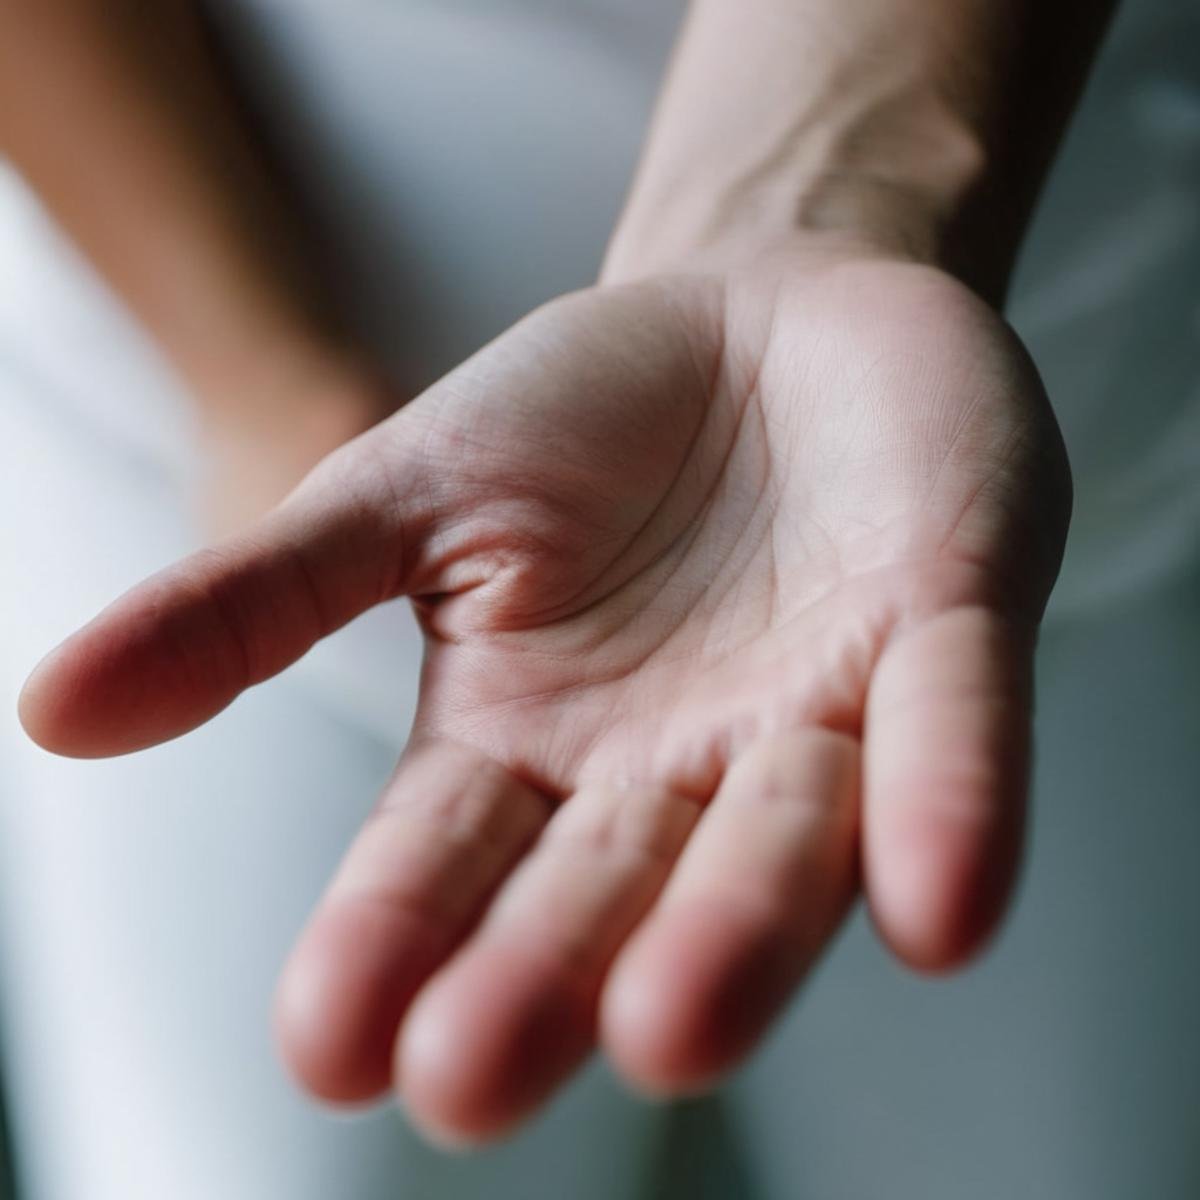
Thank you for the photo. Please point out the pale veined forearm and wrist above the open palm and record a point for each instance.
(921, 128)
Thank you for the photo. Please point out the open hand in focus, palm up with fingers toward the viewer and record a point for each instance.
(730, 590)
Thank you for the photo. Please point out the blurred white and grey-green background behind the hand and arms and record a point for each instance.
(139, 943)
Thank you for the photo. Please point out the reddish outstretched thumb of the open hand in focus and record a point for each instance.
(179, 647)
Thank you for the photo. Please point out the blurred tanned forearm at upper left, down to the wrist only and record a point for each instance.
(118, 116)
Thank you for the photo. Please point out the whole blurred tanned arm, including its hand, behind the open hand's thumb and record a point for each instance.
(121, 115)
